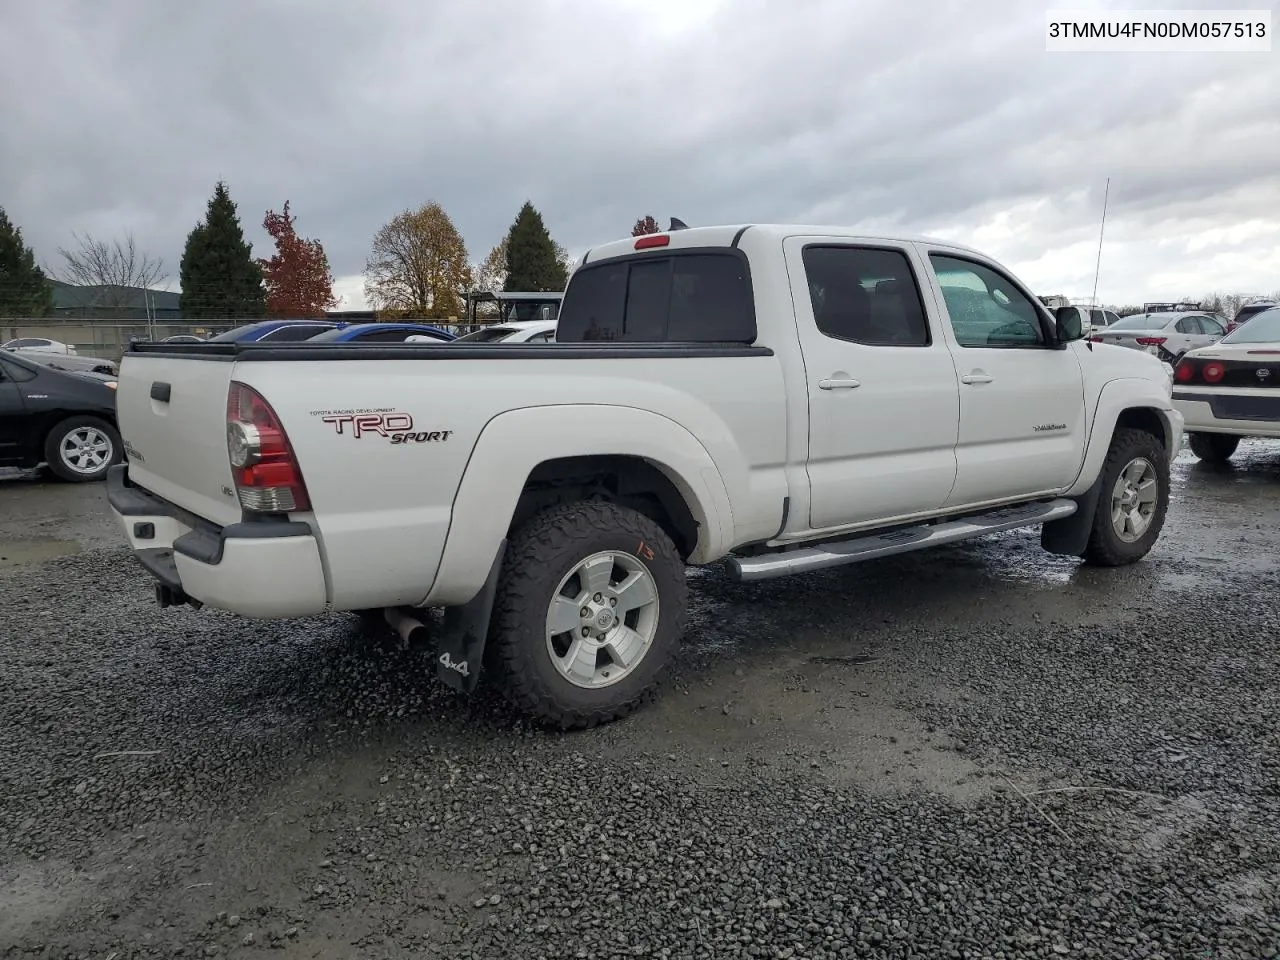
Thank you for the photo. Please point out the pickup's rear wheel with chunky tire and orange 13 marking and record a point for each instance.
(589, 614)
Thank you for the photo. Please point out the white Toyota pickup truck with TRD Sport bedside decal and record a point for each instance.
(789, 399)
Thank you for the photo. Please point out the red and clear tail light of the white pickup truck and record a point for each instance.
(267, 474)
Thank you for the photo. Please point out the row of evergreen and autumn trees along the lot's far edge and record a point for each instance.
(418, 267)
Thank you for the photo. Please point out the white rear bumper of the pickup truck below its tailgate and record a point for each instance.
(268, 569)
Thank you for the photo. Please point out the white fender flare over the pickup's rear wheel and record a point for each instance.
(514, 444)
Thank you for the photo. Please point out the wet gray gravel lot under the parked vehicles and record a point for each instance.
(981, 752)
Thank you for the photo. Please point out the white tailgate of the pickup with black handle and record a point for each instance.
(172, 412)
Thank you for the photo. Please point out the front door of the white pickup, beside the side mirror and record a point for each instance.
(1022, 401)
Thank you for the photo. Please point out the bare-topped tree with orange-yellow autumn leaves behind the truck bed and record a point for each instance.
(419, 266)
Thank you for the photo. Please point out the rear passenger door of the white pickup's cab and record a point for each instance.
(884, 406)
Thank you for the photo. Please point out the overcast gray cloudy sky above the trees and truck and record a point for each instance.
(945, 118)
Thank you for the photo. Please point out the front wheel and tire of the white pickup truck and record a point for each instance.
(1135, 500)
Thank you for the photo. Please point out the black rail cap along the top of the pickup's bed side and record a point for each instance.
(267, 353)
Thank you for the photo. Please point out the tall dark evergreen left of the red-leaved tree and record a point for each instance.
(220, 276)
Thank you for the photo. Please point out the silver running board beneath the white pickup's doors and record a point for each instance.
(899, 541)
